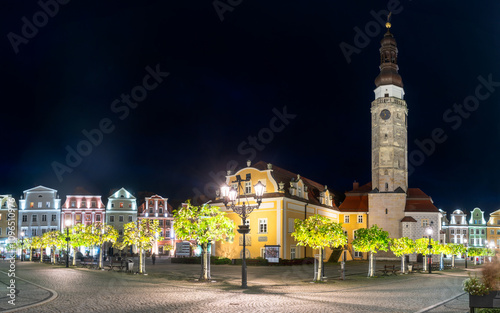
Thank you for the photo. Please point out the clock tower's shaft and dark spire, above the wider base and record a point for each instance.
(389, 123)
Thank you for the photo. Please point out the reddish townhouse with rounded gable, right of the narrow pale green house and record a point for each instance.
(157, 208)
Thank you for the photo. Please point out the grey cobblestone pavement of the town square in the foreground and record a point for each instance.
(172, 288)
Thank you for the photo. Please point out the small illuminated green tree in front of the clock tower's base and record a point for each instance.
(371, 240)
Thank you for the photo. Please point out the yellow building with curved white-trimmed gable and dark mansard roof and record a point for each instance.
(287, 197)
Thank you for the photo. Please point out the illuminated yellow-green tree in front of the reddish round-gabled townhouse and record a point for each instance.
(143, 235)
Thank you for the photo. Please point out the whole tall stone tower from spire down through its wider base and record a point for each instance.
(389, 112)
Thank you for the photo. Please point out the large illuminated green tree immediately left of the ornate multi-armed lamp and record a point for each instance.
(203, 224)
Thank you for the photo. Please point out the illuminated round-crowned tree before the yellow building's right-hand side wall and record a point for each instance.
(319, 232)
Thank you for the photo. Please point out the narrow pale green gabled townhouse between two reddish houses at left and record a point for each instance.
(121, 209)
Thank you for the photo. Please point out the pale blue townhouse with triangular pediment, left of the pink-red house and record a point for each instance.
(39, 211)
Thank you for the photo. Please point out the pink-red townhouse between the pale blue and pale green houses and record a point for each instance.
(82, 207)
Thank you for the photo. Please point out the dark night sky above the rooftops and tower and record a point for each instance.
(228, 78)
